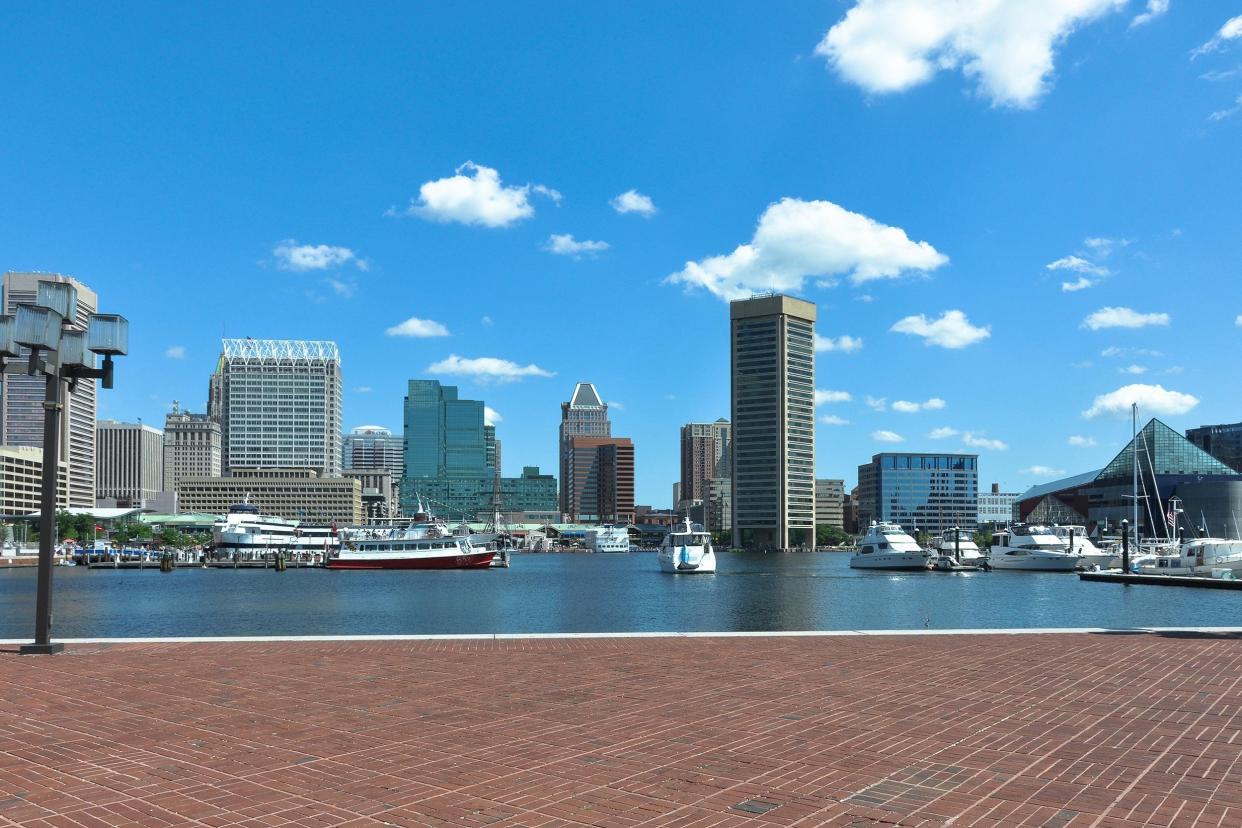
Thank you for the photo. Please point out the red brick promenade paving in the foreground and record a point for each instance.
(1066, 731)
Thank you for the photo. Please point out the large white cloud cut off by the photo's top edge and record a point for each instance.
(889, 47)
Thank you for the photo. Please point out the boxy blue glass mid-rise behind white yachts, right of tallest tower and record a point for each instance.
(921, 492)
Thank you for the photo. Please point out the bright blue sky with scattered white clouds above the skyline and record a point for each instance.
(301, 171)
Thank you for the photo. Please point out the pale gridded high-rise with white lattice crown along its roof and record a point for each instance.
(279, 404)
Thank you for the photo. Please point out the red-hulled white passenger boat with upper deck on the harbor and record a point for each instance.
(423, 544)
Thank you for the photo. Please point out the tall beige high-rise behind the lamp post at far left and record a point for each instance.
(22, 405)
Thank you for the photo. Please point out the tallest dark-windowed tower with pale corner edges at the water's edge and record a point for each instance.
(773, 393)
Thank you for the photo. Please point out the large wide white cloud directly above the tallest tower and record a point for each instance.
(797, 240)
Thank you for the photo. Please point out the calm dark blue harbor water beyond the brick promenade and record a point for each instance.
(591, 594)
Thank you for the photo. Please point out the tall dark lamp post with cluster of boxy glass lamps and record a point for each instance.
(60, 353)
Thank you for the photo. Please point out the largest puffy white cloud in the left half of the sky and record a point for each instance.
(475, 196)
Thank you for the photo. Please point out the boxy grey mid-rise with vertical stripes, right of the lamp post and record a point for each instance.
(131, 462)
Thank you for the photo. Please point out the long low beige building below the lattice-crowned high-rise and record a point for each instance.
(296, 493)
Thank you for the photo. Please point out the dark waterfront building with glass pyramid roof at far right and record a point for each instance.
(1169, 465)
